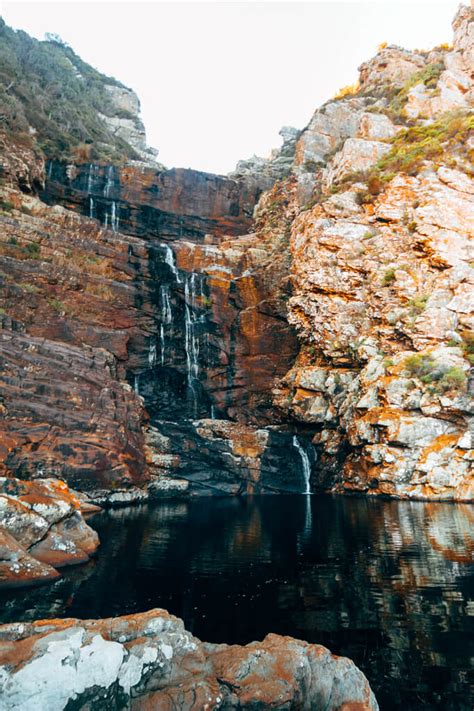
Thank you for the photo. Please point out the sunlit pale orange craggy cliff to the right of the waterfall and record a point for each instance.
(383, 282)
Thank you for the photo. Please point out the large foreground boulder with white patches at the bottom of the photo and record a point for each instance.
(149, 661)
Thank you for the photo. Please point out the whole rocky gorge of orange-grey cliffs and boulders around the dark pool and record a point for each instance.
(304, 324)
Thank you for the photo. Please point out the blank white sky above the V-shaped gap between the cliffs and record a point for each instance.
(217, 80)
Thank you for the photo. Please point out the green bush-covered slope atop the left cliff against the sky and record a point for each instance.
(51, 97)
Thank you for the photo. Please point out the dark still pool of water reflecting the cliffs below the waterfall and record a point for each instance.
(389, 584)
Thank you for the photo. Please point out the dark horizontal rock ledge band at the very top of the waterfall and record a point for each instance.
(156, 204)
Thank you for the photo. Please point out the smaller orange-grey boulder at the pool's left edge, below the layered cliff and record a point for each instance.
(41, 529)
